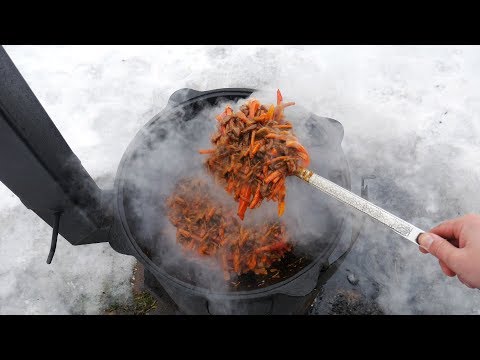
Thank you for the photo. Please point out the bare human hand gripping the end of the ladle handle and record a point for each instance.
(456, 244)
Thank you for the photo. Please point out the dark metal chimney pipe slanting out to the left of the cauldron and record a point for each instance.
(38, 166)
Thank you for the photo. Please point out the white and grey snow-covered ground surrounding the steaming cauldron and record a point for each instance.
(411, 117)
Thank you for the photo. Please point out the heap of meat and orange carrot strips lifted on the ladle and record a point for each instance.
(255, 149)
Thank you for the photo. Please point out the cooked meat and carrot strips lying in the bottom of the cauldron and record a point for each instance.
(206, 226)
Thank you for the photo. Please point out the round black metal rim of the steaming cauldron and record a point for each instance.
(189, 97)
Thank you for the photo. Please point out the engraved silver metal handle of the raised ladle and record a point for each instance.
(401, 227)
